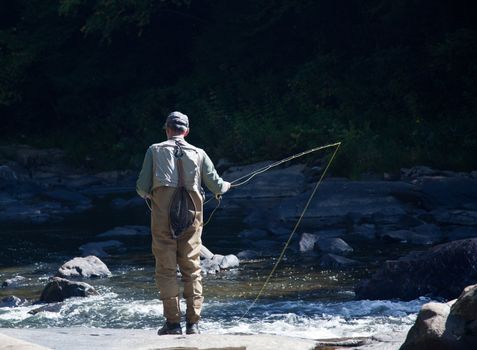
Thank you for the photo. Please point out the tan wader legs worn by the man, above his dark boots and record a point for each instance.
(183, 251)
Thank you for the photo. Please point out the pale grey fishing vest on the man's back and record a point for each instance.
(165, 172)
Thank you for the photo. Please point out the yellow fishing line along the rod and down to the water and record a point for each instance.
(297, 223)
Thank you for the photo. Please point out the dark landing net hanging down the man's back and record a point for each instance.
(182, 210)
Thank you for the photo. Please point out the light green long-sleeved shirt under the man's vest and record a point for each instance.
(146, 183)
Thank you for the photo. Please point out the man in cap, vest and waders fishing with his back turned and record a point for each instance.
(171, 178)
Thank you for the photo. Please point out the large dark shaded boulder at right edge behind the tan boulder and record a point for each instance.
(441, 271)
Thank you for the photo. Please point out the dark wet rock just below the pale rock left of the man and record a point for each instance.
(60, 289)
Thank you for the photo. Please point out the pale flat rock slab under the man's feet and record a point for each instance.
(138, 339)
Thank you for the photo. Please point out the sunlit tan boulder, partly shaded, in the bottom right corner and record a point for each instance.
(446, 326)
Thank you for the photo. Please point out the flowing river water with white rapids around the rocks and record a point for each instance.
(301, 300)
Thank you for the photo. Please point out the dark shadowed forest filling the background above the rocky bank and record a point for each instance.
(395, 81)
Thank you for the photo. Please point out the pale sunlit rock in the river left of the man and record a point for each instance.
(87, 267)
